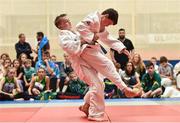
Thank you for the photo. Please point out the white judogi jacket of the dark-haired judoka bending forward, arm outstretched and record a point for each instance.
(91, 25)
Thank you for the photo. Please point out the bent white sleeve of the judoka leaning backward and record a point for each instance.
(69, 44)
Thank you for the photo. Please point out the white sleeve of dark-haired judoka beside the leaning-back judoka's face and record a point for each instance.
(88, 27)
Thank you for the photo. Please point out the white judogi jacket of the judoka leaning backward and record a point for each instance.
(70, 43)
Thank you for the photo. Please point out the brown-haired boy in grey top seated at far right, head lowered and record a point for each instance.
(165, 70)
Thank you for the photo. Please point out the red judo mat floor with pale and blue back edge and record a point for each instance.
(117, 110)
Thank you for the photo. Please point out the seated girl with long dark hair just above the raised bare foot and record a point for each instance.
(131, 78)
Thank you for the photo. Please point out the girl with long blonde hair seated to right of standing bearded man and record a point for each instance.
(139, 65)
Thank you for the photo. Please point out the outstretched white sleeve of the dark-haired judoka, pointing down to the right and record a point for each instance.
(110, 41)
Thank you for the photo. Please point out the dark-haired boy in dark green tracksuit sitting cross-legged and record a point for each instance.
(151, 82)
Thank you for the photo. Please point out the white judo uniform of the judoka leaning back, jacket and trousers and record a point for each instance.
(71, 44)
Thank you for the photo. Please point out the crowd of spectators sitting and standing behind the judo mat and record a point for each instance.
(27, 78)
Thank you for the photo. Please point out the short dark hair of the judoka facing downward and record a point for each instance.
(113, 15)
